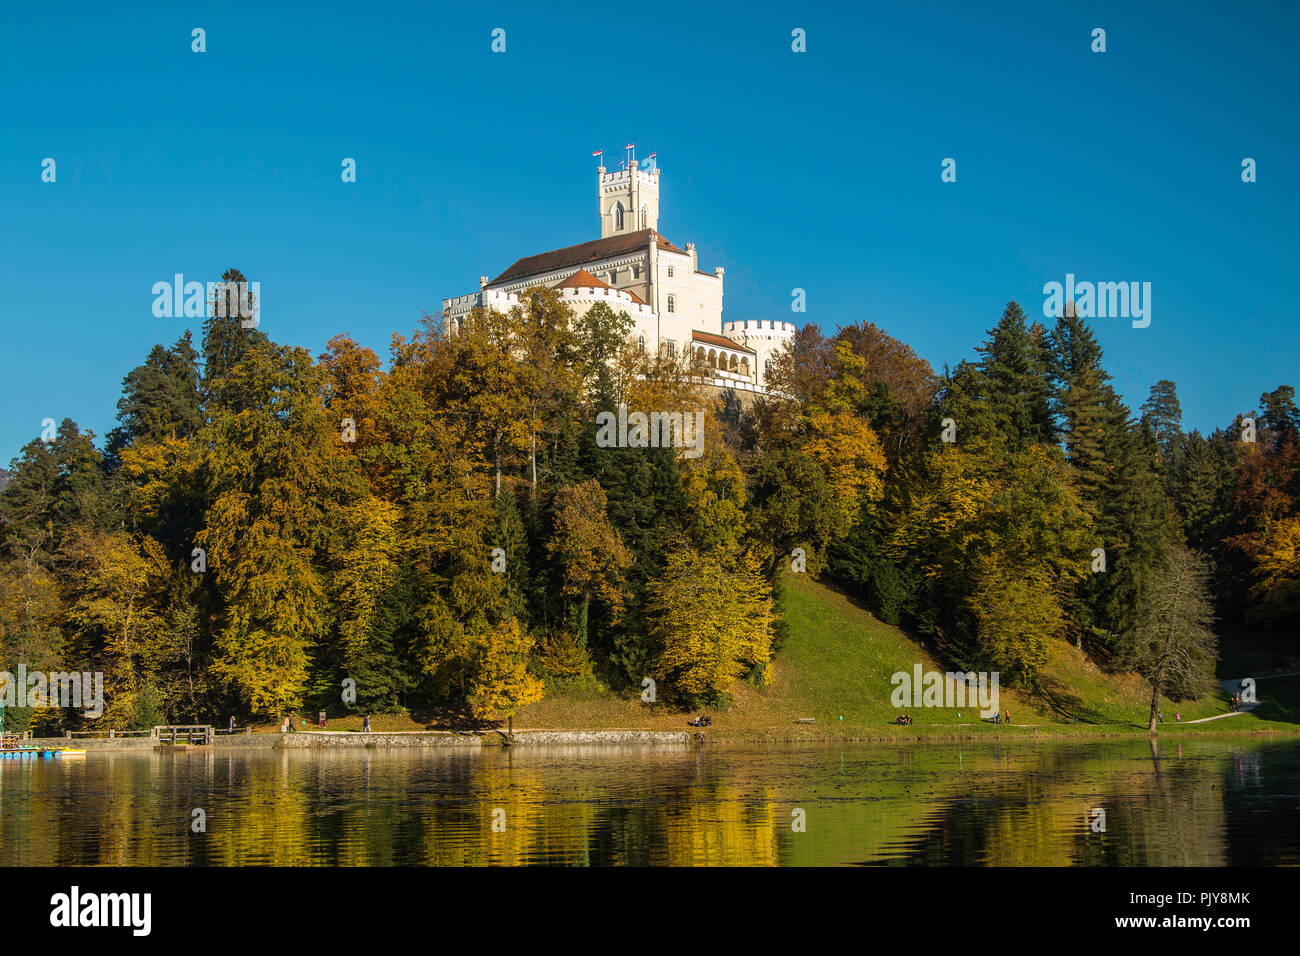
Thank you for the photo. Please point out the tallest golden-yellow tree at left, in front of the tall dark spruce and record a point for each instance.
(276, 486)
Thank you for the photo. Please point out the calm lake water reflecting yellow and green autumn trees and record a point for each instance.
(1201, 803)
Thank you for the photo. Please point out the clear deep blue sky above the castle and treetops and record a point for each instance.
(817, 171)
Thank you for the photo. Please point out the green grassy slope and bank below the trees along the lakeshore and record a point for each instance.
(837, 668)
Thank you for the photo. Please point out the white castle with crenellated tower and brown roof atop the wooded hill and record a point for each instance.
(674, 305)
